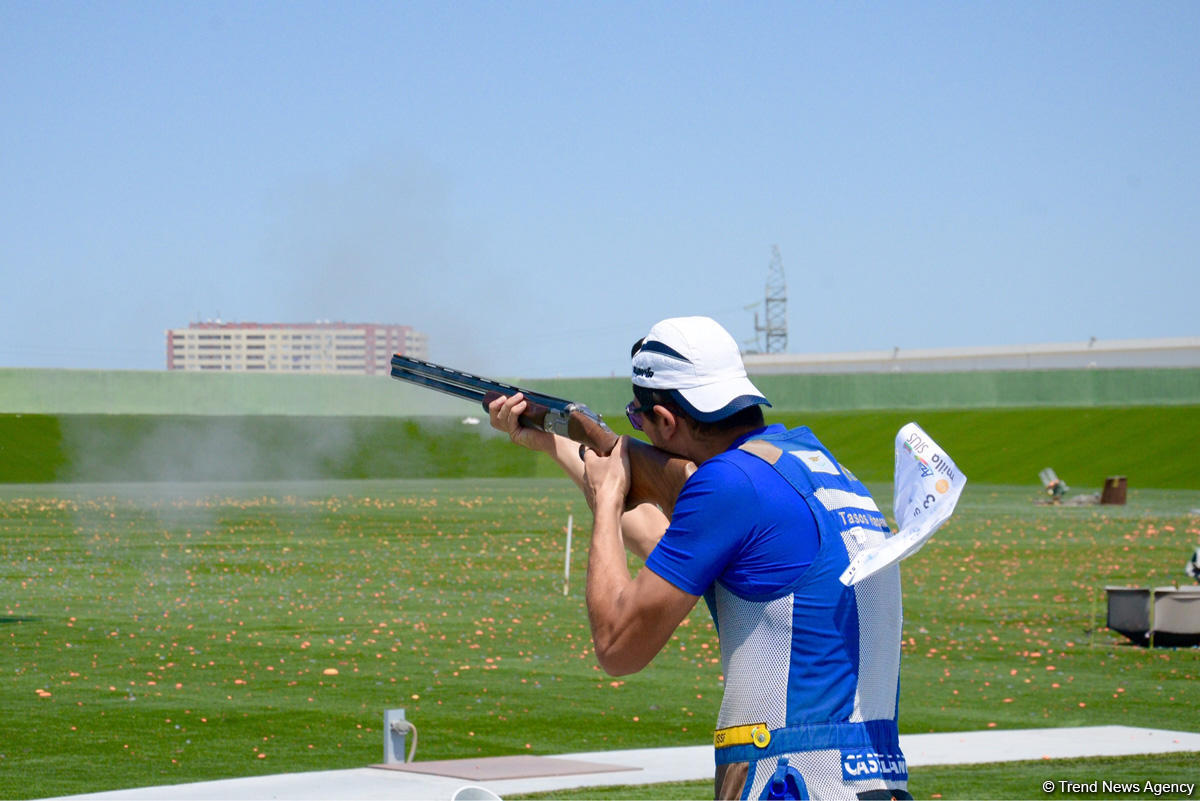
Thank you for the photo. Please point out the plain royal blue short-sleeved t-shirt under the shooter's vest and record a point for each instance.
(740, 523)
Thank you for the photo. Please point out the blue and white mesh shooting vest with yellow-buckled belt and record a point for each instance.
(813, 677)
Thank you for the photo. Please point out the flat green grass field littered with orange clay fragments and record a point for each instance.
(188, 633)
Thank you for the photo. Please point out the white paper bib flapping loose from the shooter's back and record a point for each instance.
(928, 485)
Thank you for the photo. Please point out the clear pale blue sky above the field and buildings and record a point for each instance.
(536, 184)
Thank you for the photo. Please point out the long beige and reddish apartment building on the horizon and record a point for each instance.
(322, 347)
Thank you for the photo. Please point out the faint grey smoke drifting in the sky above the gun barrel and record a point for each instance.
(381, 244)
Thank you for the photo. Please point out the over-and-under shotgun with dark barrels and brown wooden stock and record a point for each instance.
(656, 477)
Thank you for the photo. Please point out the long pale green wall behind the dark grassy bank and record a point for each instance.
(160, 393)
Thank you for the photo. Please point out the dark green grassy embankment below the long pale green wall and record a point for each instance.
(1154, 447)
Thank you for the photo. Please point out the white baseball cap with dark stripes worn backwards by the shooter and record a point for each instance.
(699, 364)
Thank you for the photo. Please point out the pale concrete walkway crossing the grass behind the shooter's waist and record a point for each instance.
(656, 766)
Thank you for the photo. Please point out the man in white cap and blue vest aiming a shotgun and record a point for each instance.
(763, 531)
